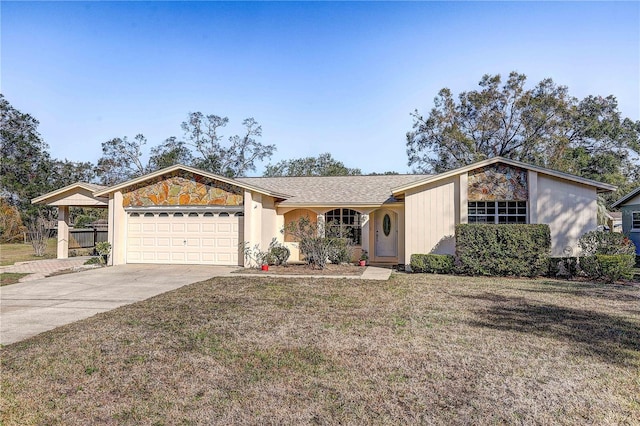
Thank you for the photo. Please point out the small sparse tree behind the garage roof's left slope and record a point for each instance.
(121, 160)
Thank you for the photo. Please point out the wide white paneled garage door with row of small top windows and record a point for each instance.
(184, 238)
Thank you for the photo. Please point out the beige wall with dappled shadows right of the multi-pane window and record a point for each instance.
(570, 210)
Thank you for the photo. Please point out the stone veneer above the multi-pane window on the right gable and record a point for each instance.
(498, 182)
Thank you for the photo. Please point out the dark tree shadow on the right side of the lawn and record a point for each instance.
(610, 338)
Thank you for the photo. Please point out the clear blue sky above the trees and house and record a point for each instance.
(318, 76)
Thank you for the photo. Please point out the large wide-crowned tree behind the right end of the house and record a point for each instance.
(542, 126)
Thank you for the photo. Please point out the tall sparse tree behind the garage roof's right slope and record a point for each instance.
(202, 132)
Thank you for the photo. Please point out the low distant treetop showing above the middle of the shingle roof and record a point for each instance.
(322, 165)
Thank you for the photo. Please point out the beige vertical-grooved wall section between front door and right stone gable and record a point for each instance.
(431, 213)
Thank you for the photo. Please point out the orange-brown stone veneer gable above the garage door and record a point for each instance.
(183, 188)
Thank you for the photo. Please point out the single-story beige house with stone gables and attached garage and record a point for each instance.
(182, 215)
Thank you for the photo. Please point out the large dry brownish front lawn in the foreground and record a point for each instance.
(417, 349)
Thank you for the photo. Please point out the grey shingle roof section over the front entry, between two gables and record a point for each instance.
(334, 190)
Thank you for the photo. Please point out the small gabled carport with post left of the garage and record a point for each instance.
(77, 195)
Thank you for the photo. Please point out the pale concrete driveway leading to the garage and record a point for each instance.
(29, 308)
